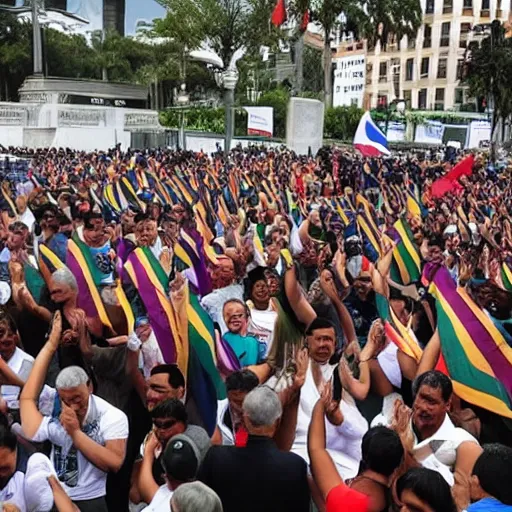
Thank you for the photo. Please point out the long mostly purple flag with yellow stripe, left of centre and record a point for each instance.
(151, 282)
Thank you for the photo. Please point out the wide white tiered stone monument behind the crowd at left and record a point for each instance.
(79, 114)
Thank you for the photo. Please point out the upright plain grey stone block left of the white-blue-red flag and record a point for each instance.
(304, 125)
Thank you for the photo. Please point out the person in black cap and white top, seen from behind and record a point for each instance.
(181, 461)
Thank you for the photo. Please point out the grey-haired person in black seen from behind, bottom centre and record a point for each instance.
(281, 478)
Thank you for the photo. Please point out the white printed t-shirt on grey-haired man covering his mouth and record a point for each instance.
(81, 479)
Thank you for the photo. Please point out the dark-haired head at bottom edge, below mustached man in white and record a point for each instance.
(425, 490)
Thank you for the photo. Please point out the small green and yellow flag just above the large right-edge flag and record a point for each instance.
(406, 265)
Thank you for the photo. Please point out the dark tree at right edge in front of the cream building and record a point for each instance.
(488, 72)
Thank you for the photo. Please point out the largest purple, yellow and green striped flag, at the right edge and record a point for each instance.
(477, 356)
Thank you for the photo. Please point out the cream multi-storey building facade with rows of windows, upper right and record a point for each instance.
(426, 71)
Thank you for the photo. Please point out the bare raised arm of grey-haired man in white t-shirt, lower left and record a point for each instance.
(31, 418)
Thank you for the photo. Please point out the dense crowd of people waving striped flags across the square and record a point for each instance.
(255, 332)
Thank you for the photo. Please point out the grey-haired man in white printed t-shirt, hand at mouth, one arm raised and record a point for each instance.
(88, 437)
